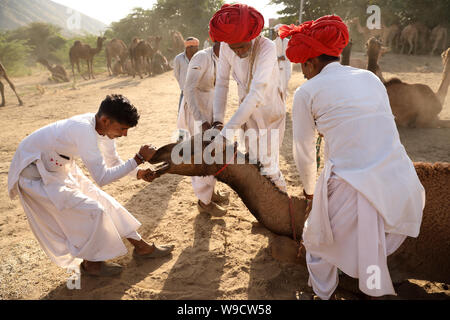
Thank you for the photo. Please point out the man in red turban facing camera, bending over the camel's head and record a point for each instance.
(253, 59)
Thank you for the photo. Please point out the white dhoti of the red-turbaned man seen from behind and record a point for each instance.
(360, 246)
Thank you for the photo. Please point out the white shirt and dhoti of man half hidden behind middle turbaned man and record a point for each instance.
(198, 108)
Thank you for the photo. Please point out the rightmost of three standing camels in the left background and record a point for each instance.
(142, 52)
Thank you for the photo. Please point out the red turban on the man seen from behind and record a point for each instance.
(326, 35)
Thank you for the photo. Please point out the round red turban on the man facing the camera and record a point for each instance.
(235, 23)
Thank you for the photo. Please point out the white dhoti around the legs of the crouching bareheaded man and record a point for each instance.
(75, 220)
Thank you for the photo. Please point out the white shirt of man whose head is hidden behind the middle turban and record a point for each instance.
(199, 85)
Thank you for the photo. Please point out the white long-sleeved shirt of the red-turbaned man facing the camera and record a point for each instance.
(263, 102)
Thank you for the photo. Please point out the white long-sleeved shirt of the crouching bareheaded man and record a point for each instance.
(75, 137)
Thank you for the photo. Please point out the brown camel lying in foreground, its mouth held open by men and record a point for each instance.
(425, 257)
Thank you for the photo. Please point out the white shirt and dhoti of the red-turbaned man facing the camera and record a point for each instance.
(262, 108)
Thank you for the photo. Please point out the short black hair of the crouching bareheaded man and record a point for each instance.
(120, 109)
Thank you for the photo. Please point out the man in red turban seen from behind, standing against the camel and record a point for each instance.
(368, 198)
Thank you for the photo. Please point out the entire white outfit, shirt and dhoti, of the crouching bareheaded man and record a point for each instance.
(71, 217)
